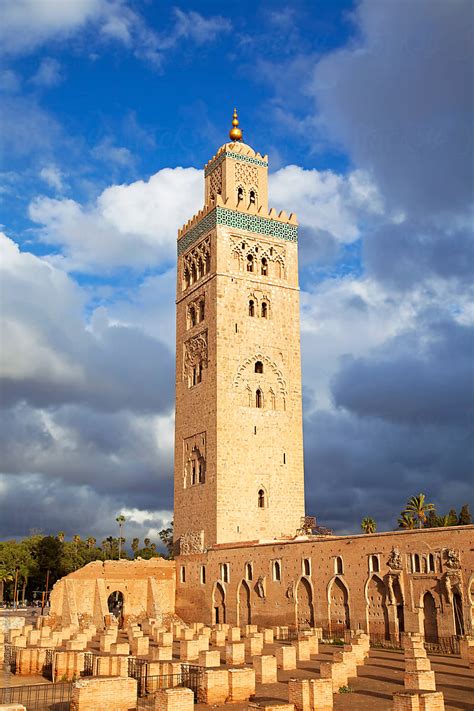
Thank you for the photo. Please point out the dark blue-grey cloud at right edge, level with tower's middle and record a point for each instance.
(418, 377)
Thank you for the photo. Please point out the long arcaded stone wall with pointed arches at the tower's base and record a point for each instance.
(383, 602)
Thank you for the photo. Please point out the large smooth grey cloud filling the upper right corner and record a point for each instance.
(400, 100)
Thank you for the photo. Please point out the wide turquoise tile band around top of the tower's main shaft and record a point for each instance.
(241, 221)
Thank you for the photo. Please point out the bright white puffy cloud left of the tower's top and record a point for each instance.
(131, 225)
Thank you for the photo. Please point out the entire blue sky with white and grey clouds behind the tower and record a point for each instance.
(109, 111)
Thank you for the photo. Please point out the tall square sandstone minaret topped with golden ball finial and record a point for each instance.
(239, 444)
